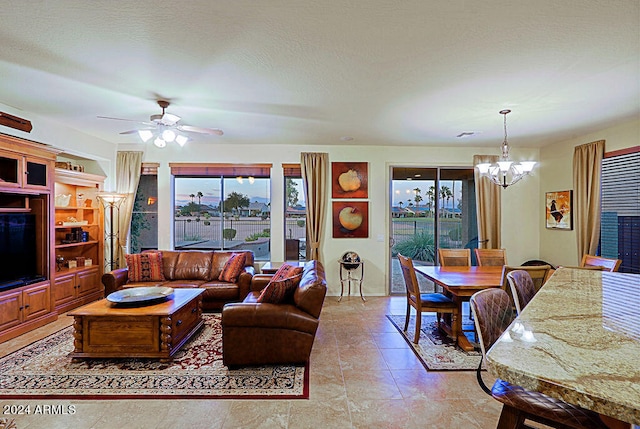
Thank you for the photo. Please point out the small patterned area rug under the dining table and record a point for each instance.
(435, 349)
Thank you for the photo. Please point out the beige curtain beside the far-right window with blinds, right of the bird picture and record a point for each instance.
(587, 173)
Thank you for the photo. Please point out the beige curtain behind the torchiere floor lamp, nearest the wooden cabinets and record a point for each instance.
(128, 168)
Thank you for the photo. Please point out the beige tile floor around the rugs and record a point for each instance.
(362, 375)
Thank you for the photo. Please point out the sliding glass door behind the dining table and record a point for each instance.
(430, 208)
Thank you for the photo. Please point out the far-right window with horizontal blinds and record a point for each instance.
(620, 220)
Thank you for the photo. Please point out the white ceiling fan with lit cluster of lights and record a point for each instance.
(165, 128)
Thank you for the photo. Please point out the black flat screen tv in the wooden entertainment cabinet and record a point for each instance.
(18, 250)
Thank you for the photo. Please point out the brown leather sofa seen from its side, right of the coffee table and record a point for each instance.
(260, 333)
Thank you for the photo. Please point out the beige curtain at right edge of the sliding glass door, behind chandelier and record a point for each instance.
(488, 204)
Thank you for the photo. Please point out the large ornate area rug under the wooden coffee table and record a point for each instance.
(44, 370)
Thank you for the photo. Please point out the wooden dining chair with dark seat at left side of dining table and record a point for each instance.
(435, 302)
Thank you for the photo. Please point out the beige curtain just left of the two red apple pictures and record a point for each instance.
(314, 168)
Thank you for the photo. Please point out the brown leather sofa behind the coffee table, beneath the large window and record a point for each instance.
(193, 269)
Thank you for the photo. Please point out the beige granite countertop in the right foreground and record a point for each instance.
(578, 340)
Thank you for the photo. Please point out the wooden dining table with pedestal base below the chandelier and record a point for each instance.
(460, 282)
